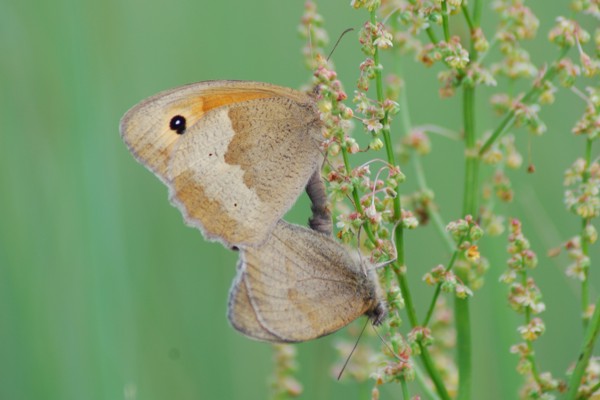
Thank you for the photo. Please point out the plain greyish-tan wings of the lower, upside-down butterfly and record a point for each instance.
(300, 285)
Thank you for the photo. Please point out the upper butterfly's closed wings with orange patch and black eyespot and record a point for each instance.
(245, 154)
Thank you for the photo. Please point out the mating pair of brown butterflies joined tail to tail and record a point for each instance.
(235, 156)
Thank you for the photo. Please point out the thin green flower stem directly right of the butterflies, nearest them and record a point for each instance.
(399, 266)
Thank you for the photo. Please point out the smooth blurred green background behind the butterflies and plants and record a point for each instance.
(105, 294)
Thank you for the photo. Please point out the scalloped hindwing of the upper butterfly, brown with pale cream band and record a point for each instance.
(243, 168)
